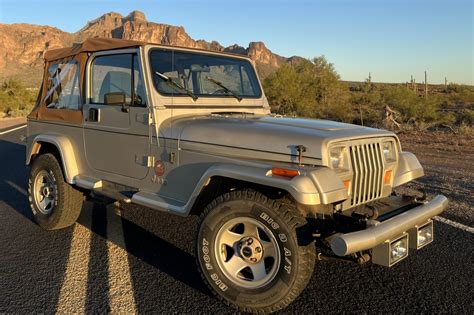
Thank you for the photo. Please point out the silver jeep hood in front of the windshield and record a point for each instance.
(263, 135)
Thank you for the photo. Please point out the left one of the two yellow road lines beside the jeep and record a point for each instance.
(73, 292)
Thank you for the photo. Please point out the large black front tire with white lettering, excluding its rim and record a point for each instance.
(297, 250)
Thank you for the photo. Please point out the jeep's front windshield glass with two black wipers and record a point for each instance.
(203, 75)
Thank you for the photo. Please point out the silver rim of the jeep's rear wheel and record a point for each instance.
(44, 189)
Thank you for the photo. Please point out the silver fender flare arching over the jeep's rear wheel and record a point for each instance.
(61, 147)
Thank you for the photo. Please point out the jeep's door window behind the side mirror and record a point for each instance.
(117, 73)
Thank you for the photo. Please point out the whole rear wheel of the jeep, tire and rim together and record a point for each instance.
(55, 204)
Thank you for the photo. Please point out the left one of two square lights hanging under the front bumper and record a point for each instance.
(391, 252)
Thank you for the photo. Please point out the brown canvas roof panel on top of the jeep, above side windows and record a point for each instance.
(91, 45)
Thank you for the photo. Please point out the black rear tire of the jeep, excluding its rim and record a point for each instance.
(68, 202)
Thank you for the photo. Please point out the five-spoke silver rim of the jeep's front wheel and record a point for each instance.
(247, 252)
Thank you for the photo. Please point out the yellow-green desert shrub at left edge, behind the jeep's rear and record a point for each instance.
(15, 98)
